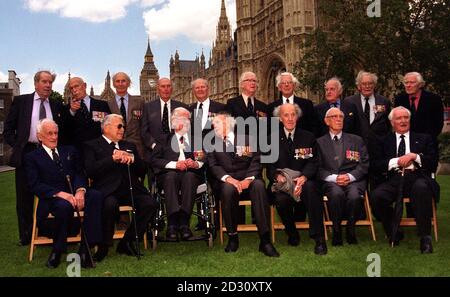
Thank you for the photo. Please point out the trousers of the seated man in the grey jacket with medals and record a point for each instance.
(344, 201)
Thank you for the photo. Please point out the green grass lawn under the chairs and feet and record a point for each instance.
(196, 259)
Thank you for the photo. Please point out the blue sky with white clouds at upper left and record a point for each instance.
(89, 37)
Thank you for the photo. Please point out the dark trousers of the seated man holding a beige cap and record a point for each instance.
(313, 201)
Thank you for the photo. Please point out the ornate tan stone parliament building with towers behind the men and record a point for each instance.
(266, 41)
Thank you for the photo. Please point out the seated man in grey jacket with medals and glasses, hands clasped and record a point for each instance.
(343, 168)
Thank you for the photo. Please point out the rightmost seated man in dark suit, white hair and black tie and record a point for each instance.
(415, 154)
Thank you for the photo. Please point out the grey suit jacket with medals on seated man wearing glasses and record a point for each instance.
(353, 160)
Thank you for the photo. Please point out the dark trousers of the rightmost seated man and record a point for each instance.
(417, 188)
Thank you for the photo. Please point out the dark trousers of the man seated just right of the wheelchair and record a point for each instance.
(260, 204)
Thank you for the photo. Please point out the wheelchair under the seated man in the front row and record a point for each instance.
(206, 212)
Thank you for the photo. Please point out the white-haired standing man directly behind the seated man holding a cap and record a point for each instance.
(287, 83)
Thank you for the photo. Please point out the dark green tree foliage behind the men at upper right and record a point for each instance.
(408, 36)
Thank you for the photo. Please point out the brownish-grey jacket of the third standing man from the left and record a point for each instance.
(133, 124)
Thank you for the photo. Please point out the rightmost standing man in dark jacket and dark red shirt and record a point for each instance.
(427, 110)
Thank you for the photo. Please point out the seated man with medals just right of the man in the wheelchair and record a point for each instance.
(236, 167)
